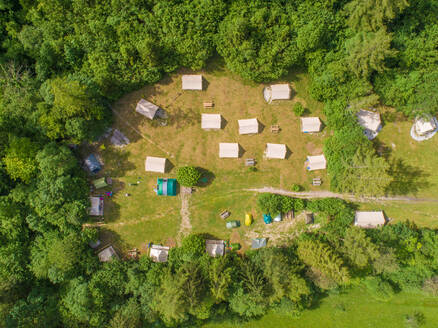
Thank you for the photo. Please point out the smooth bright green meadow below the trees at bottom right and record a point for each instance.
(354, 309)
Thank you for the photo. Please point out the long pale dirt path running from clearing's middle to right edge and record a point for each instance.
(324, 194)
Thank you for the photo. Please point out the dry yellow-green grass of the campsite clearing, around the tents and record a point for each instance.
(143, 217)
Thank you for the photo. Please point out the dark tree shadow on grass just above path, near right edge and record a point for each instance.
(406, 178)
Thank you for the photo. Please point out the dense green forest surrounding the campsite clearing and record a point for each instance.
(64, 61)
